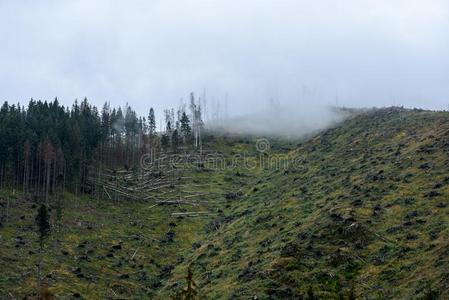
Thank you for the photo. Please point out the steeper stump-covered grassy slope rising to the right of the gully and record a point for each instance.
(365, 216)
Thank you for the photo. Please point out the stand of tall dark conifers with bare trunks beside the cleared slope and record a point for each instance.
(47, 147)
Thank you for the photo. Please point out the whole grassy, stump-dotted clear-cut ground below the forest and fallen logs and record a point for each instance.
(359, 209)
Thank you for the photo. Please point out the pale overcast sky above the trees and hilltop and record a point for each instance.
(153, 52)
